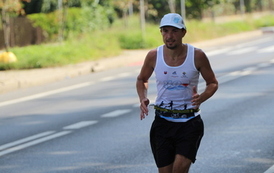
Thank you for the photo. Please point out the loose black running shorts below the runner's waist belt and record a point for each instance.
(170, 138)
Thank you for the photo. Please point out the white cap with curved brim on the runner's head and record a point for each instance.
(173, 19)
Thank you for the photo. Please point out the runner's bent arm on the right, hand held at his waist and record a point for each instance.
(203, 65)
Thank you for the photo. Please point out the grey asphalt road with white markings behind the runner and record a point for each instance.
(90, 124)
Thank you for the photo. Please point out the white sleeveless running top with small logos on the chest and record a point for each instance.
(175, 84)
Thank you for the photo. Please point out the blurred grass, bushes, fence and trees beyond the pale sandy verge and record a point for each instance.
(73, 31)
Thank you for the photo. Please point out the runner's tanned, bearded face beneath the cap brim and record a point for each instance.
(172, 36)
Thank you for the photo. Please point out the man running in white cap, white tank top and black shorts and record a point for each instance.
(178, 128)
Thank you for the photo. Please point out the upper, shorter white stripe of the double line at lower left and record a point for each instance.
(30, 138)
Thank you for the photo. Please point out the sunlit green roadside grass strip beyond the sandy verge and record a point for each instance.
(111, 42)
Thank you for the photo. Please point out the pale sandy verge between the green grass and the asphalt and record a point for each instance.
(18, 79)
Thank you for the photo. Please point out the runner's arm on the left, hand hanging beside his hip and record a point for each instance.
(142, 82)
